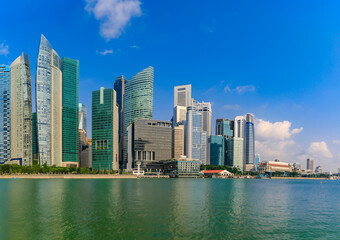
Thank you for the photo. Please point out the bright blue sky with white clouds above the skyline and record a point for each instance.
(277, 59)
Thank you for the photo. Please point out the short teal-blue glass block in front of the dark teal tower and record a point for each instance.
(217, 150)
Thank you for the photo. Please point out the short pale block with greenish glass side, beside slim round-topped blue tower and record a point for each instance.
(235, 152)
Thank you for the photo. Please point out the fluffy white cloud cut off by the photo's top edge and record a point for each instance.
(114, 15)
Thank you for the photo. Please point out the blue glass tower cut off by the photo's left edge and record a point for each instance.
(5, 109)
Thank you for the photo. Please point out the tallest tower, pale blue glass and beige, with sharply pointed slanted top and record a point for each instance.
(49, 104)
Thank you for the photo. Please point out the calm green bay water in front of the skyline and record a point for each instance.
(169, 209)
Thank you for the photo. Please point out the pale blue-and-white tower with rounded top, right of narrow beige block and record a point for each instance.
(196, 138)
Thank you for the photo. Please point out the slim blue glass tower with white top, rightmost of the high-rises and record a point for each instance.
(249, 140)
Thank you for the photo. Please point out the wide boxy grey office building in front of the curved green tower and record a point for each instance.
(149, 141)
